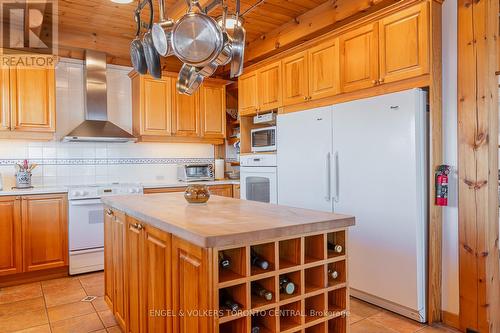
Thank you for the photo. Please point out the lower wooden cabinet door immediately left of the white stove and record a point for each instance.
(45, 232)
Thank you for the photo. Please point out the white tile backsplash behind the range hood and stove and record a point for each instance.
(90, 163)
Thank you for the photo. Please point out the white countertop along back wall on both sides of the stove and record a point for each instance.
(64, 189)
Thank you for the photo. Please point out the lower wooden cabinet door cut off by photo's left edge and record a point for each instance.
(10, 237)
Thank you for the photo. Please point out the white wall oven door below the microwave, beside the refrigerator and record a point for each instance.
(259, 184)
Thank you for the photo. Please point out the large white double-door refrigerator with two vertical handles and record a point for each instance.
(366, 158)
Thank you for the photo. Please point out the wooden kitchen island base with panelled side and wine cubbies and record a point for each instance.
(159, 282)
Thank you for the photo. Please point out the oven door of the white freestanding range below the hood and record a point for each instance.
(86, 224)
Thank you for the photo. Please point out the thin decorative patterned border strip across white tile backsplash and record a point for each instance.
(109, 161)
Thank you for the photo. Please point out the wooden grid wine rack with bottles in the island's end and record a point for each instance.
(319, 302)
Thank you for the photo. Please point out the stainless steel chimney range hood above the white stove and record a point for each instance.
(96, 127)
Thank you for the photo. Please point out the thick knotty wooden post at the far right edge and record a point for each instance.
(478, 165)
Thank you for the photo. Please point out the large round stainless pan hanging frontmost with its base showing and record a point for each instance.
(197, 39)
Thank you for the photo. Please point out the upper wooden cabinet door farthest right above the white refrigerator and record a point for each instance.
(404, 44)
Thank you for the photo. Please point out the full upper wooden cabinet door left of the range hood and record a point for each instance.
(32, 99)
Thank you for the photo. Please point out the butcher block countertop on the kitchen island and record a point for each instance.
(224, 221)
